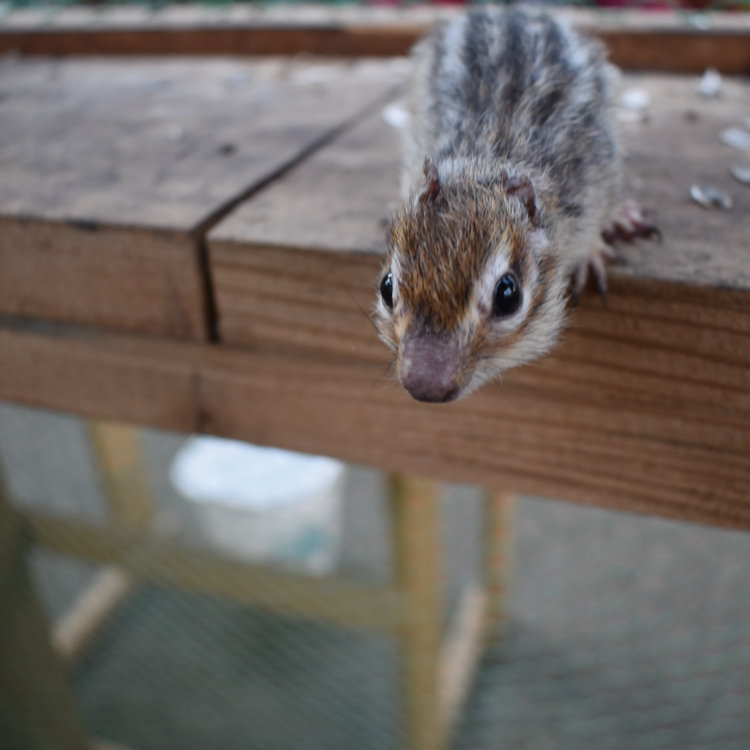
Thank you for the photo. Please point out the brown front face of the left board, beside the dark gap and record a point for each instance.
(117, 277)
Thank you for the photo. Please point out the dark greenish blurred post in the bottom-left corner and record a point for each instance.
(37, 707)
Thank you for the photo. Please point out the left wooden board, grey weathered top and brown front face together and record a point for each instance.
(121, 166)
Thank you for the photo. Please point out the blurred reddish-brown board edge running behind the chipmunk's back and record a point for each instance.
(647, 41)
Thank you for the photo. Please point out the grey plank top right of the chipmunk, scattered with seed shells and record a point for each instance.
(678, 145)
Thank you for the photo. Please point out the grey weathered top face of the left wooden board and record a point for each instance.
(164, 143)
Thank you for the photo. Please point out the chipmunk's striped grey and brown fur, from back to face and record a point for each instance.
(500, 98)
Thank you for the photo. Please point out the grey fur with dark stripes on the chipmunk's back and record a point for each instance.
(517, 90)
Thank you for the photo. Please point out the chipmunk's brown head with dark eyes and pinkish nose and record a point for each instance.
(470, 287)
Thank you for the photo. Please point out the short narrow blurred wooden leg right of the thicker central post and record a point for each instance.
(498, 534)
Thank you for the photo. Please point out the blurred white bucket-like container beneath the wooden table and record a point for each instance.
(263, 504)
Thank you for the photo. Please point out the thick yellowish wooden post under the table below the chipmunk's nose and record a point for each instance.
(416, 534)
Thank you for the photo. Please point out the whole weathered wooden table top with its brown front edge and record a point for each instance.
(193, 245)
